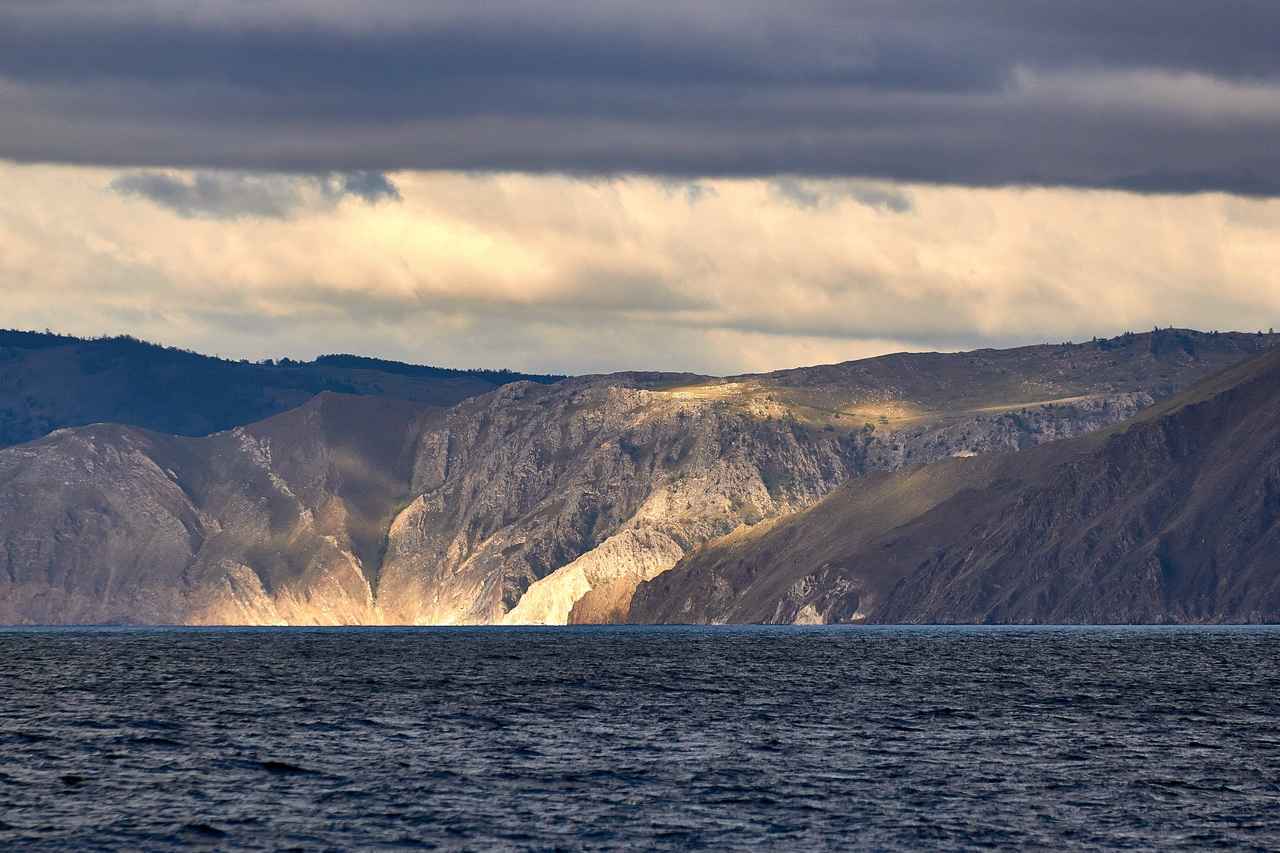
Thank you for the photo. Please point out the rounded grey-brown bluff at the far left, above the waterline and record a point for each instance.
(95, 530)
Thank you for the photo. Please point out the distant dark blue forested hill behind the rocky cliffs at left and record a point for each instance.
(53, 381)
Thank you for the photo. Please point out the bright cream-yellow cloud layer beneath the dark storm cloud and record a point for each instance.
(552, 273)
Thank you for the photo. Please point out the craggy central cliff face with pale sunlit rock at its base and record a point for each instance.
(582, 485)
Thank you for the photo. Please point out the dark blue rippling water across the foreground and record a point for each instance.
(647, 740)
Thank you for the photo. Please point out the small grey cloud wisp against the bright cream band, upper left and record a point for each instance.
(234, 195)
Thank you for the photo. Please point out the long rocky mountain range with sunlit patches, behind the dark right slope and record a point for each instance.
(525, 503)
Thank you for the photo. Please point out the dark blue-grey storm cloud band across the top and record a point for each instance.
(1153, 95)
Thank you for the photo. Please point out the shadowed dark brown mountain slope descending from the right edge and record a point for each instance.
(1171, 517)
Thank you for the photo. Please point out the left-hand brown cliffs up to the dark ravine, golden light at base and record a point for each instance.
(277, 523)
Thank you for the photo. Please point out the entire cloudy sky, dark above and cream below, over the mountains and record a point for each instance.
(575, 188)
